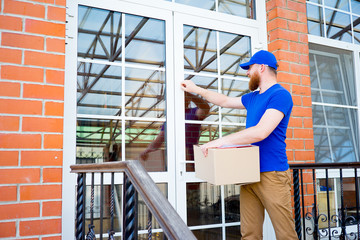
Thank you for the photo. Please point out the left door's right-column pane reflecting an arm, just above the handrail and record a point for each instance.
(146, 141)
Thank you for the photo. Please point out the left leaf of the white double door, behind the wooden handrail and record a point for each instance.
(124, 100)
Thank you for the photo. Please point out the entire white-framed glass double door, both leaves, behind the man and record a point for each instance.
(131, 58)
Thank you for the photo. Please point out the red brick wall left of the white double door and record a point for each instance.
(32, 62)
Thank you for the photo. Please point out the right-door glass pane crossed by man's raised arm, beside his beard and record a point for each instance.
(234, 88)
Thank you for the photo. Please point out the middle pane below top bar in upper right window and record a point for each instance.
(338, 25)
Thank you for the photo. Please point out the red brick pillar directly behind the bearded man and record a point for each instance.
(287, 38)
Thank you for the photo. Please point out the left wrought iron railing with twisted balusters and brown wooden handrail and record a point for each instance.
(136, 182)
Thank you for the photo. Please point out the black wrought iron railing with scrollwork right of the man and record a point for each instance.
(327, 207)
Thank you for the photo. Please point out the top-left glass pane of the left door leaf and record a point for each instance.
(99, 34)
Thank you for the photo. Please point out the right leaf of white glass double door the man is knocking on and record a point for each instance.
(208, 53)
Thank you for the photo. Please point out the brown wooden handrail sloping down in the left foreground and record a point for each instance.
(170, 221)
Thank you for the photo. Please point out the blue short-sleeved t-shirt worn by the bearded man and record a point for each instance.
(273, 148)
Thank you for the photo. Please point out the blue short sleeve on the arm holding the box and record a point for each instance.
(281, 101)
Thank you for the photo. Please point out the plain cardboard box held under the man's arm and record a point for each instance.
(231, 165)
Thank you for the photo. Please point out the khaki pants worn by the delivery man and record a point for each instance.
(273, 194)
